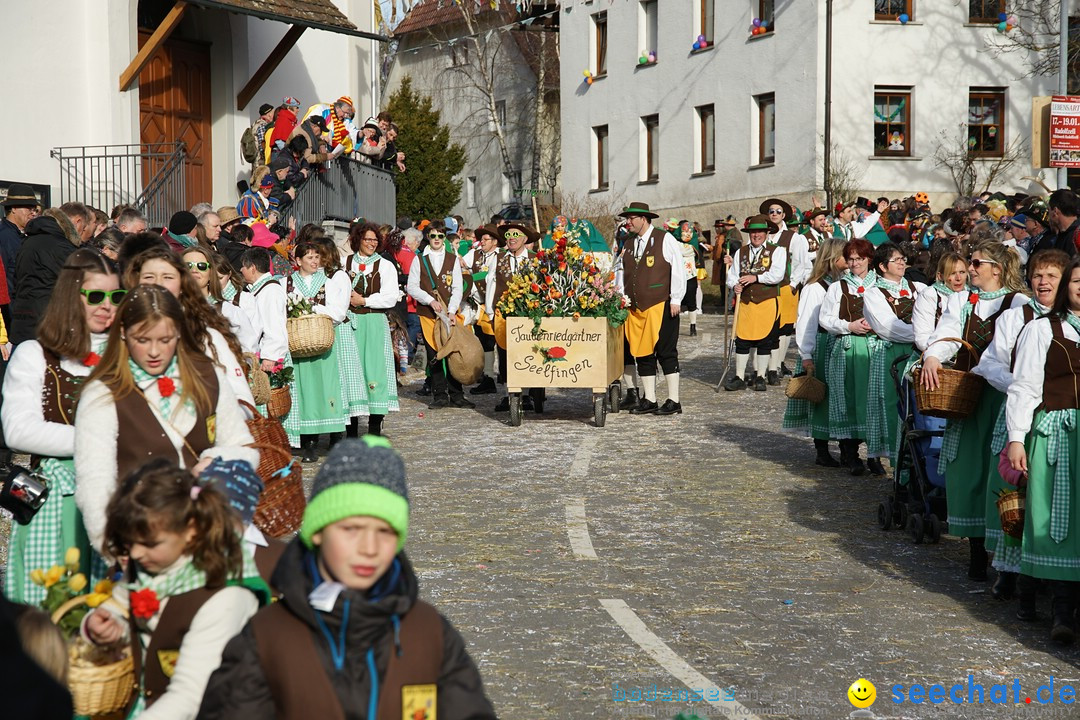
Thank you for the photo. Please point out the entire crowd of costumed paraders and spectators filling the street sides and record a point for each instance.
(131, 354)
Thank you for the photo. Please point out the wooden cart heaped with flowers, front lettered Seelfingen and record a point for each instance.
(564, 320)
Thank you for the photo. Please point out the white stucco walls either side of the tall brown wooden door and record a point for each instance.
(63, 61)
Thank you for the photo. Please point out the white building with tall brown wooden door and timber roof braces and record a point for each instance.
(65, 59)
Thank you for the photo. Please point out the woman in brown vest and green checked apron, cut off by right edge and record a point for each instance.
(1045, 443)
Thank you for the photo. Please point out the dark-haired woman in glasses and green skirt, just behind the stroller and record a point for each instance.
(888, 309)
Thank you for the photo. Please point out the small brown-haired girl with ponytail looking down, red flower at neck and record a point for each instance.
(191, 587)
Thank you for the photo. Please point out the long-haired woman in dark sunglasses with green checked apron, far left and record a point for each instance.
(40, 393)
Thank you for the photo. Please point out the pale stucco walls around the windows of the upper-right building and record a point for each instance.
(937, 55)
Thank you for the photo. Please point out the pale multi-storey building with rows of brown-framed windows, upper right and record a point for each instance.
(703, 133)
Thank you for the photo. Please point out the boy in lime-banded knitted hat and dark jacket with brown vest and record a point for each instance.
(349, 640)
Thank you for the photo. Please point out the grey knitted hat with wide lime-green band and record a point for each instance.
(363, 477)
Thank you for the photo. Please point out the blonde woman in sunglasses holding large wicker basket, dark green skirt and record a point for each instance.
(997, 286)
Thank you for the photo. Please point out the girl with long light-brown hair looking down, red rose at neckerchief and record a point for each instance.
(155, 395)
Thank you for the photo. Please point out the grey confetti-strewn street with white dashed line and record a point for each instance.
(761, 573)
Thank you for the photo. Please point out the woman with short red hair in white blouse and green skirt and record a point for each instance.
(848, 374)
